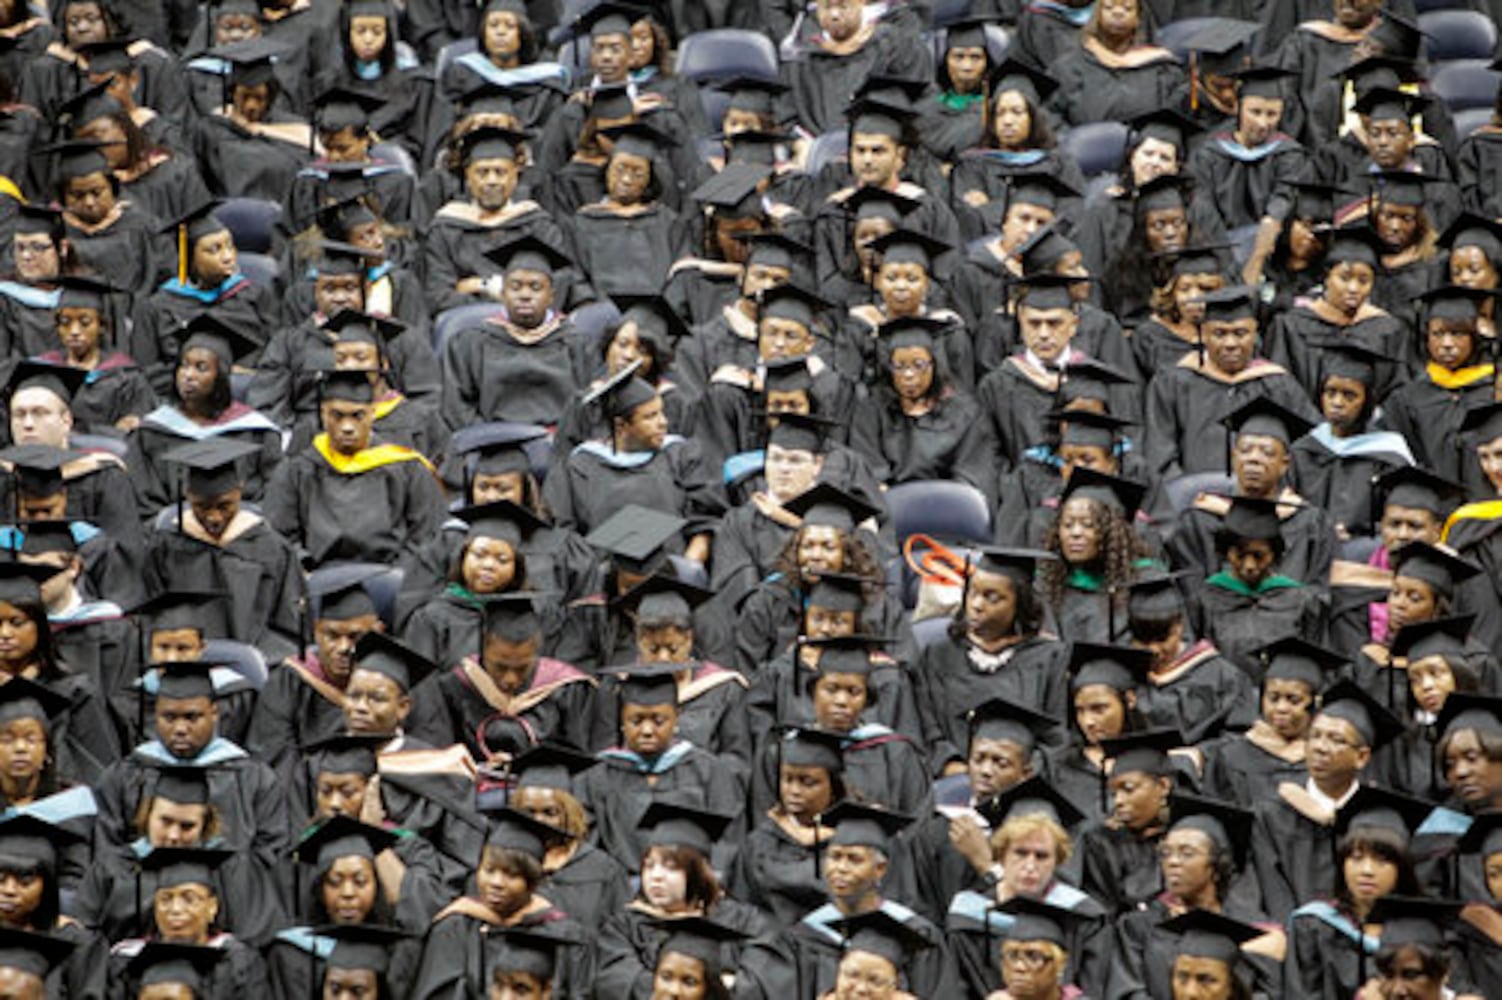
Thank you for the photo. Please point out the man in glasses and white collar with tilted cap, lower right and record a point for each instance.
(1292, 843)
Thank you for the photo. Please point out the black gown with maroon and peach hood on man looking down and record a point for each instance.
(559, 706)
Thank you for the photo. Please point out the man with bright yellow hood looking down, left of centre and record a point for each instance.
(349, 499)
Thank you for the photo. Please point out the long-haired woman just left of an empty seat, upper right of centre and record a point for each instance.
(1018, 139)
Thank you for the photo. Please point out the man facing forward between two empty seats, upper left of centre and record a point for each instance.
(523, 364)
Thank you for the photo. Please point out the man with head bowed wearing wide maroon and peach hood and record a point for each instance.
(504, 696)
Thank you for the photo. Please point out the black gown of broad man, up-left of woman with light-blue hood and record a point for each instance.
(1186, 408)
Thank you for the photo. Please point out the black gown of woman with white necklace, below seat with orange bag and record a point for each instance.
(949, 685)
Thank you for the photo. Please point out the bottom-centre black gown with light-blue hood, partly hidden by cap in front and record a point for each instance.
(803, 962)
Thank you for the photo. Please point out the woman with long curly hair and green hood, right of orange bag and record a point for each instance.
(1099, 555)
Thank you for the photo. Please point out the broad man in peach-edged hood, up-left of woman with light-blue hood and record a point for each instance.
(1189, 403)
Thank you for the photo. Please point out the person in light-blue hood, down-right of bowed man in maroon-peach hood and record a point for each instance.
(653, 764)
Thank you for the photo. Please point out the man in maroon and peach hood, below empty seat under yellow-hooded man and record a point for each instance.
(303, 700)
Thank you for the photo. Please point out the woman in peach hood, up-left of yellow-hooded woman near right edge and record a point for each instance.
(1303, 339)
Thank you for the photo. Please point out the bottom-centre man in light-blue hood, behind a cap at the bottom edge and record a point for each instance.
(803, 962)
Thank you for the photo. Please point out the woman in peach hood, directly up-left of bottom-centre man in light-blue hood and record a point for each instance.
(777, 869)
